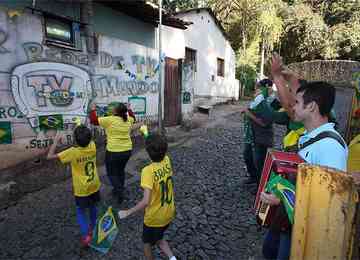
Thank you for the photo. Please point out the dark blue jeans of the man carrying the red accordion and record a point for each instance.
(277, 245)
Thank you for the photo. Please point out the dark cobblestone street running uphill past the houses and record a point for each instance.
(214, 209)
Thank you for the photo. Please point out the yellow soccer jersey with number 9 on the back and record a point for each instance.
(83, 169)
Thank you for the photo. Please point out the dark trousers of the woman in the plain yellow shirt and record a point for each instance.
(115, 163)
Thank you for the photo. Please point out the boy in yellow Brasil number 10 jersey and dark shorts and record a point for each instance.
(158, 199)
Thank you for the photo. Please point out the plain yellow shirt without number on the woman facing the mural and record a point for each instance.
(117, 132)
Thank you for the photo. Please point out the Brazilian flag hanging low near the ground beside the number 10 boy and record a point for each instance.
(105, 232)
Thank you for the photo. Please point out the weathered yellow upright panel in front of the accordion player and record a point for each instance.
(324, 213)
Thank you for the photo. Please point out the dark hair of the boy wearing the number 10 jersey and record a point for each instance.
(156, 146)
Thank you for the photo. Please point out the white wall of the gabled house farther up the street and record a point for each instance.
(206, 38)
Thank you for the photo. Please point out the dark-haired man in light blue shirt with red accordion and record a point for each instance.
(320, 145)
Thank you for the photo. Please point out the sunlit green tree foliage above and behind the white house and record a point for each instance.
(298, 29)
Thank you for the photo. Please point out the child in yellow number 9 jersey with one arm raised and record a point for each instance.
(86, 182)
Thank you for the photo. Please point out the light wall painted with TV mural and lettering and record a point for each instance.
(45, 89)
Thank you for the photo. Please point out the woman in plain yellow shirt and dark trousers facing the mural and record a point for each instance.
(119, 145)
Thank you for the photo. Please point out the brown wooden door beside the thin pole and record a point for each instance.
(172, 93)
